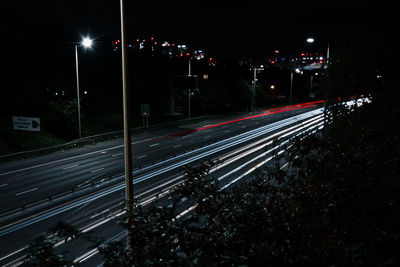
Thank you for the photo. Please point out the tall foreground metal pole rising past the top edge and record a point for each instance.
(127, 128)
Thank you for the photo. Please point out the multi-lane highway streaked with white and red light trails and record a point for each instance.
(84, 186)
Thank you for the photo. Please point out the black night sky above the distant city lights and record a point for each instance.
(223, 28)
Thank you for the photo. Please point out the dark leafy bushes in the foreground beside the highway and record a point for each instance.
(337, 205)
